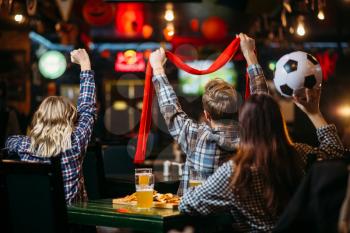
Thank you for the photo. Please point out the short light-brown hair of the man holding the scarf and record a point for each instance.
(221, 100)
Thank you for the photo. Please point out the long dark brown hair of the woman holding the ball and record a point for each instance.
(266, 148)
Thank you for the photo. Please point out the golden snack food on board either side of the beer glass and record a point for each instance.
(167, 200)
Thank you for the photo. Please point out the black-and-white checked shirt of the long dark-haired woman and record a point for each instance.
(249, 212)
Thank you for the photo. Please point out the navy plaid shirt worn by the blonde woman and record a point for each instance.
(71, 159)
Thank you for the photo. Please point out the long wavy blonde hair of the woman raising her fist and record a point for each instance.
(52, 127)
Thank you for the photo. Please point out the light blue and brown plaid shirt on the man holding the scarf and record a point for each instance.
(205, 148)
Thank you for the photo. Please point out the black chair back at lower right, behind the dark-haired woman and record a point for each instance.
(316, 204)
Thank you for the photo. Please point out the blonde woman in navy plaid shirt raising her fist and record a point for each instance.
(60, 129)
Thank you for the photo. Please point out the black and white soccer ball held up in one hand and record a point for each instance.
(296, 71)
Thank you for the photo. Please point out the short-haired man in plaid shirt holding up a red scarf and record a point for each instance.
(206, 146)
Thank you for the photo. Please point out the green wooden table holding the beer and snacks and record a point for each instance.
(104, 213)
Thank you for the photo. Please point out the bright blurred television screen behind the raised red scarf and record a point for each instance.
(194, 84)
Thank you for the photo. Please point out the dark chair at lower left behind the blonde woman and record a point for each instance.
(32, 197)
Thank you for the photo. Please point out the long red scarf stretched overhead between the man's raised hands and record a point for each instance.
(145, 122)
